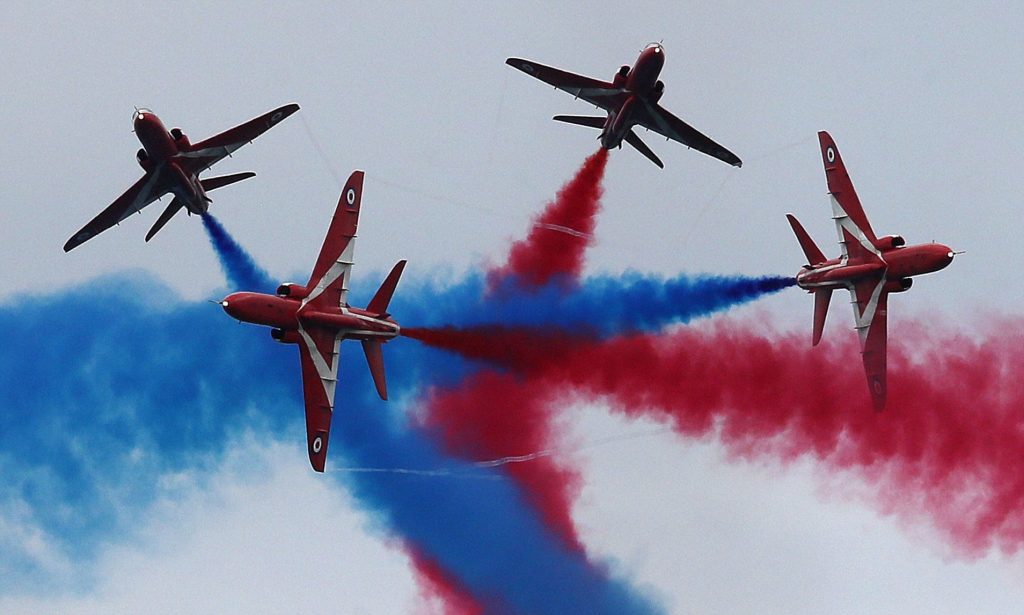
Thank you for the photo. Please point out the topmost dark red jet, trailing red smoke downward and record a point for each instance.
(631, 99)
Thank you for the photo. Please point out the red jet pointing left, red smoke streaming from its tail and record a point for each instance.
(317, 318)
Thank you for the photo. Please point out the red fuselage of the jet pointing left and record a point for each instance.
(288, 316)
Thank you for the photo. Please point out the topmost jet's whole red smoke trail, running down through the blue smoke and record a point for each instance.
(485, 419)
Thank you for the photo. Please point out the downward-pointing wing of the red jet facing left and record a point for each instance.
(319, 355)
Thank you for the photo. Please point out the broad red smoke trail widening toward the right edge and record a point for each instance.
(949, 447)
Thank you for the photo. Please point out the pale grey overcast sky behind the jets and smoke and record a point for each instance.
(459, 150)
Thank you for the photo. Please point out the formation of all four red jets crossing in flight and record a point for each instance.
(317, 317)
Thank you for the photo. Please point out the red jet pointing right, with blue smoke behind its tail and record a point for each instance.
(871, 269)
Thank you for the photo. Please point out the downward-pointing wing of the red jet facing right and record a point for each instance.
(870, 312)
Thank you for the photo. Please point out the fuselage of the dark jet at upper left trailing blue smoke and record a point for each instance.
(163, 153)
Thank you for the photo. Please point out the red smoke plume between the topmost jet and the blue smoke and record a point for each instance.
(562, 234)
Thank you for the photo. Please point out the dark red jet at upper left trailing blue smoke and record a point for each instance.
(173, 165)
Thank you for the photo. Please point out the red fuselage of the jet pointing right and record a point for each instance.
(899, 263)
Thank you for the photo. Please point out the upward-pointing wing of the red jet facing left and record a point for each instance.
(329, 282)
